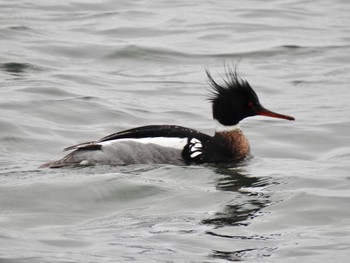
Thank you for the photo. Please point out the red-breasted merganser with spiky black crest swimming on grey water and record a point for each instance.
(231, 101)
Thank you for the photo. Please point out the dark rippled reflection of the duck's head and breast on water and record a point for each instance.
(247, 203)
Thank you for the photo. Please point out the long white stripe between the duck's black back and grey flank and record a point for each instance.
(177, 143)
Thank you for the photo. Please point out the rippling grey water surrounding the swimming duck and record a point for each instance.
(75, 71)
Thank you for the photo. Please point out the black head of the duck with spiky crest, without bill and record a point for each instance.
(233, 100)
